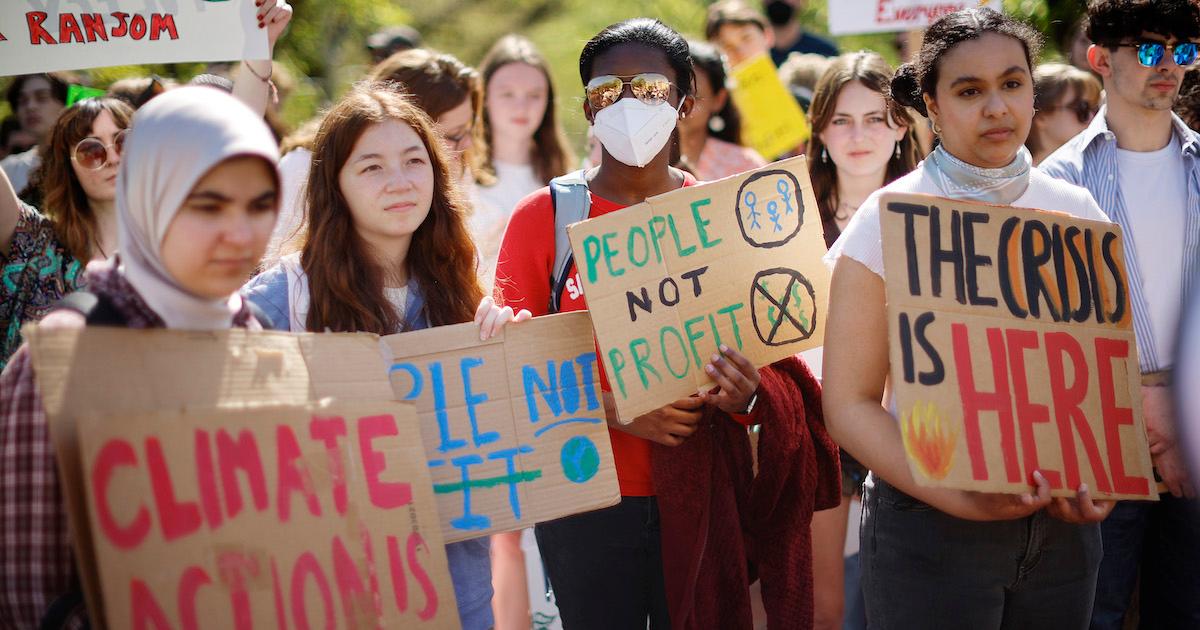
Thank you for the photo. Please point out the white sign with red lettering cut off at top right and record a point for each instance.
(851, 17)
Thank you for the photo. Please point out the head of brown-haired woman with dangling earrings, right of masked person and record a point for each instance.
(857, 146)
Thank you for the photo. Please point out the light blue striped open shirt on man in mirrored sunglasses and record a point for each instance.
(1090, 160)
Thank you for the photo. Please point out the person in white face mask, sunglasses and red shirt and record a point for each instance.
(608, 567)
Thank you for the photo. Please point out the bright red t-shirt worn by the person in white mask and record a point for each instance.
(523, 281)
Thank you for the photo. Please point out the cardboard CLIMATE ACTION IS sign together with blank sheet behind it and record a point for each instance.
(212, 481)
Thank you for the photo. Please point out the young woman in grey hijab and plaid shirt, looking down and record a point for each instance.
(191, 226)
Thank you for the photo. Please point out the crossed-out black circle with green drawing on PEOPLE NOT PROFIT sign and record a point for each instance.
(783, 307)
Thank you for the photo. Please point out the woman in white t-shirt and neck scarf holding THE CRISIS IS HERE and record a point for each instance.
(940, 557)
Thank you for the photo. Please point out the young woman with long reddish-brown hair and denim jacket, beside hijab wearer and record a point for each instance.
(387, 251)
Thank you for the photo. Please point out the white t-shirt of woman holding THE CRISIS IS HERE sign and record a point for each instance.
(863, 239)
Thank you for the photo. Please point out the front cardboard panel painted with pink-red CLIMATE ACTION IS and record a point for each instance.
(280, 517)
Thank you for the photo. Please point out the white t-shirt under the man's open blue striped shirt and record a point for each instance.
(1155, 189)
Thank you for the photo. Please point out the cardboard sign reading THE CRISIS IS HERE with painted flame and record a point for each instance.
(1012, 349)
